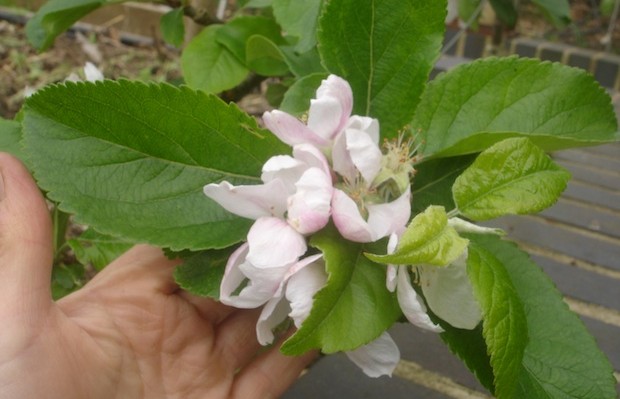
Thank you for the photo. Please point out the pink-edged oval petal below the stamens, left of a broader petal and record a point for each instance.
(348, 219)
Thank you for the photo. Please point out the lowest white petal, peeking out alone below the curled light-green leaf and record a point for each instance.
(377, 358)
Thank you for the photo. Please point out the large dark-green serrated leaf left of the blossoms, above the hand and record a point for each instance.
(131, 159)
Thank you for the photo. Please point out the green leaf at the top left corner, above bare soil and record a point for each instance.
(56, 16)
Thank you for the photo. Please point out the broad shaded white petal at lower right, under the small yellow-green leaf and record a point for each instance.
(450, 295)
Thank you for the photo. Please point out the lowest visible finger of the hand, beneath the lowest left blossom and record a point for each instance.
(270, 374)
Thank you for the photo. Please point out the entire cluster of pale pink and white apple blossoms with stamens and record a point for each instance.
(337, 171)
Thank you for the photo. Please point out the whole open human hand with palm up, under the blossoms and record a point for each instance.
(129, 333)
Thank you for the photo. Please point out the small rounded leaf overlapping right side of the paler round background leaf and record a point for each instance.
(264, 57)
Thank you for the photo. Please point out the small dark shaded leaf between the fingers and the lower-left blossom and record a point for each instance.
(201, 274)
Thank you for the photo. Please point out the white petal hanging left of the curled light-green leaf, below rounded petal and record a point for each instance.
(302, 286)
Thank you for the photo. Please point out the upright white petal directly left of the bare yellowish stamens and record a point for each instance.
(364, 152)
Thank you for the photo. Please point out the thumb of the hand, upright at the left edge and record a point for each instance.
(25, 240)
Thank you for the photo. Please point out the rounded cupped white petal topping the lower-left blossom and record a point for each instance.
(274, 243)
